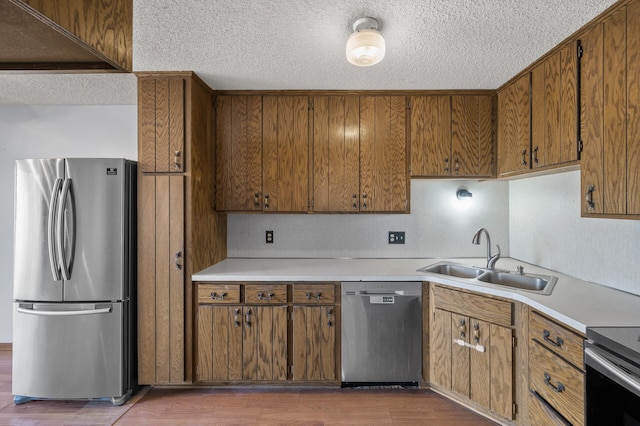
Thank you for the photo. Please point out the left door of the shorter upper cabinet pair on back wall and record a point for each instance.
(431, 136)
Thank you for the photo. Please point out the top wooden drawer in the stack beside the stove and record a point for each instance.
(557, 338)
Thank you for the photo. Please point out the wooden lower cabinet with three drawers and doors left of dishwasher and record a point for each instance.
(255, 333)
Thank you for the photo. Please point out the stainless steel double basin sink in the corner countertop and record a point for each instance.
(541, 284)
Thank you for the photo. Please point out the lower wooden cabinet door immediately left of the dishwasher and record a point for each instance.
(314, 343)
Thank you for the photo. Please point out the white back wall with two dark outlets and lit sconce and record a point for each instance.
(436, 227)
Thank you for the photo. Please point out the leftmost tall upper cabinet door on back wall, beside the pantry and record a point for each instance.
(239, 153)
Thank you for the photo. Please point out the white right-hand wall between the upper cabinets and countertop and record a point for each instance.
(546, 229)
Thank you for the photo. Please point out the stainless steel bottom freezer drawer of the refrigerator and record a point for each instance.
(70, 351)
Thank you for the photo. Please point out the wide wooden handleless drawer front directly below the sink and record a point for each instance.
(473, 305)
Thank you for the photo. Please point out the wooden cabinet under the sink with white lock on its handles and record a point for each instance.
(470, 356)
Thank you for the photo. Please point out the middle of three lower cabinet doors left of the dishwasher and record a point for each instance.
(264, 343)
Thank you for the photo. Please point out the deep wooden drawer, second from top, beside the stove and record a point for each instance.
(558, 382)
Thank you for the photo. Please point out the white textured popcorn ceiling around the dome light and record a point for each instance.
(299, 44)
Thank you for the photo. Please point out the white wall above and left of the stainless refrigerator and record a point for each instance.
(52, 131)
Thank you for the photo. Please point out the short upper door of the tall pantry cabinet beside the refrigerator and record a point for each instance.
(161, 125)
